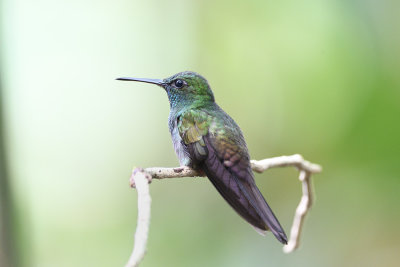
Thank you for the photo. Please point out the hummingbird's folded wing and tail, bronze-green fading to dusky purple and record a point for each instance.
(221, 153)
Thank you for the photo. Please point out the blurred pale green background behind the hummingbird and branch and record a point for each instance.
(319, 78)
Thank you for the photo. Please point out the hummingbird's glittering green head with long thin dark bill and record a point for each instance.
(184, 89)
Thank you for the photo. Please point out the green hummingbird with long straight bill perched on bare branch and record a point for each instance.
(207, 139)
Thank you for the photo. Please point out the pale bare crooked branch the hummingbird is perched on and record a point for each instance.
(140, 178)
